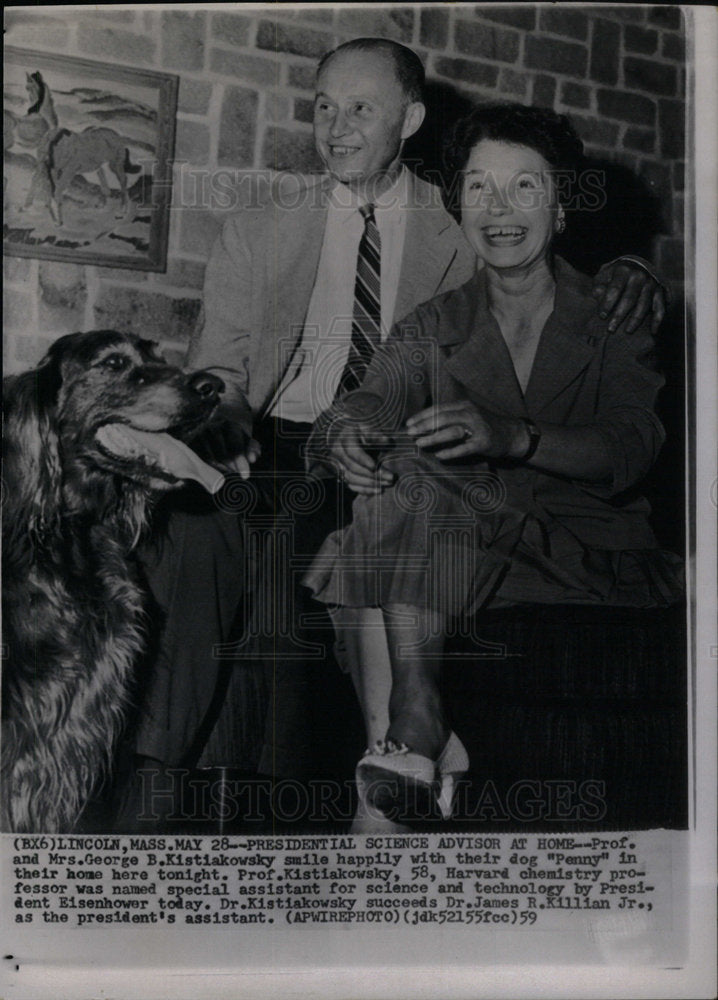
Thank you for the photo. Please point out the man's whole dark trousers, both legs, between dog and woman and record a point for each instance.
(225, 574)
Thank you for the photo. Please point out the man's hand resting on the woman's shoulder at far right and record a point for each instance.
(626, 291)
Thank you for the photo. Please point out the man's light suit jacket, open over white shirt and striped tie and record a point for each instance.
(262, 269)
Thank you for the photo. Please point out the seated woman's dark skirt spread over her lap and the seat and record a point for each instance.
(449, 542)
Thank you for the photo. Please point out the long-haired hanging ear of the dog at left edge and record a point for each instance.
(31, 461)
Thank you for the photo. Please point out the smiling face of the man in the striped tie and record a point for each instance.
(361, 117)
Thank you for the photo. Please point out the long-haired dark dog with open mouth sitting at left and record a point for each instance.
(72, 513)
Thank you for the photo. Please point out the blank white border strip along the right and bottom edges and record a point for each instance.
(698, 978)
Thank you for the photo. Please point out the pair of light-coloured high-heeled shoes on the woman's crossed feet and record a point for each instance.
(391, 777)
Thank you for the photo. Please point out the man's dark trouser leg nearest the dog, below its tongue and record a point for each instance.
(196, 572)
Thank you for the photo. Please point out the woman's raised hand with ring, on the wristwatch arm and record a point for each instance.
(467, 430)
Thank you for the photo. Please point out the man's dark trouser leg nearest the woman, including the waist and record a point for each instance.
(312, 707)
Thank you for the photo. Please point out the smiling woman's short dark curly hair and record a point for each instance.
(542, 129)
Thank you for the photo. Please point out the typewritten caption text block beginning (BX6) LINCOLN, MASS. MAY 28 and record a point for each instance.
(530, 881)
